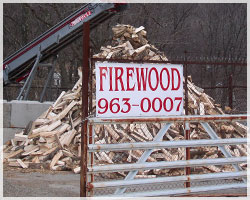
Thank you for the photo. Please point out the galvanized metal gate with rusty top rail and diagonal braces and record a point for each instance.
(157, 143)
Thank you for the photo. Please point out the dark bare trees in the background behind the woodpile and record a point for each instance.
(212, 30)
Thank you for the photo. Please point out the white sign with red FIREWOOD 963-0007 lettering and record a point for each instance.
(131, 90)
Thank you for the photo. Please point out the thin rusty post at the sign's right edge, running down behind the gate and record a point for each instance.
(187, 129)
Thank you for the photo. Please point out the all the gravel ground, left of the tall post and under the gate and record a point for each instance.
(34, 183)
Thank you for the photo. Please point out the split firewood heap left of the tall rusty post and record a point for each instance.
(53, 140)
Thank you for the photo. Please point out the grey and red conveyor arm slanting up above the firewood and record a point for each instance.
(50, 42)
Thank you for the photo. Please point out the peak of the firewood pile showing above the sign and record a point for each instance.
(130, 43)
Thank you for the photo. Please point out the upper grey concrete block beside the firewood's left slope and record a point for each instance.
(22, 112)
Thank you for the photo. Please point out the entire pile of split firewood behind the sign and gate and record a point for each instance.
(52, 141)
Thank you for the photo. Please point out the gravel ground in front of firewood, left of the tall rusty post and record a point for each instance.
(40, 184)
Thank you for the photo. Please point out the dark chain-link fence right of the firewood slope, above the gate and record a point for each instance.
(223, 80)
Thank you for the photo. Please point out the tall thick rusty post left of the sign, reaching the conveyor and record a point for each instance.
(84, 137)
